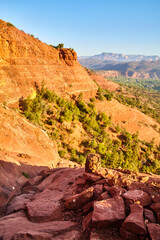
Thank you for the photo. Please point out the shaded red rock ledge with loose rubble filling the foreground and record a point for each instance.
(90, 203)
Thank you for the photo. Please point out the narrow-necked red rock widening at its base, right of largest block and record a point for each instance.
(135, 222)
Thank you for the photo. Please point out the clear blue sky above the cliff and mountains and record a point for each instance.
(90, 26)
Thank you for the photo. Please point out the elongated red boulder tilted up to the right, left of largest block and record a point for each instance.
(79, 200)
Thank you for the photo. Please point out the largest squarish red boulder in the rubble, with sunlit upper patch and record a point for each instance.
(108, 211)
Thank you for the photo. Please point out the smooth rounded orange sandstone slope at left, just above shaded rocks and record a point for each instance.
(22, 142)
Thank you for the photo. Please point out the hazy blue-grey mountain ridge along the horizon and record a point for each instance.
(140, 66)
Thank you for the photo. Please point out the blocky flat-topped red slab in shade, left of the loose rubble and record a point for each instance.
(45, 206)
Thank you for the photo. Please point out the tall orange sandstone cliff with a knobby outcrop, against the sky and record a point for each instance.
(25, 62)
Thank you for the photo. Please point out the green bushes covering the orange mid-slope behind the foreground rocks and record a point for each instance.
(61, 118)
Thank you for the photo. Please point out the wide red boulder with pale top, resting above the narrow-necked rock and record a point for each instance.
(137, 196)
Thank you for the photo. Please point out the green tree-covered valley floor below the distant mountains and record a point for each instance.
(145, 95)
